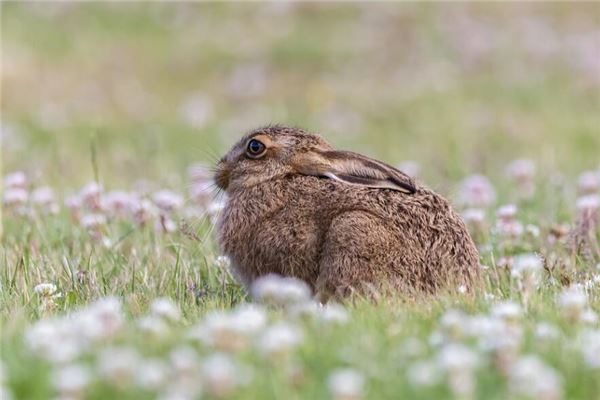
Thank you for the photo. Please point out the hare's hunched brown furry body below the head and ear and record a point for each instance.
(338, 236)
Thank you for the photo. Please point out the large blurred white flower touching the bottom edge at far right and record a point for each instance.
(531, 378)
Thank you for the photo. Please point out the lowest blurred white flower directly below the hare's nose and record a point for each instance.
(222, 375)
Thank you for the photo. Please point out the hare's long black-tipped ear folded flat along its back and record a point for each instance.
(354, 169)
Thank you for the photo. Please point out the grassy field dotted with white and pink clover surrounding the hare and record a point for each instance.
(111, 282)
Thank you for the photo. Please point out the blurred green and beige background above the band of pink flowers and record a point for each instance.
(147, 89)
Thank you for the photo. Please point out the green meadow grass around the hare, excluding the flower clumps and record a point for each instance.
(97, 89)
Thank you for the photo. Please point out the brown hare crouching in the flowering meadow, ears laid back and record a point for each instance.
(340, 221)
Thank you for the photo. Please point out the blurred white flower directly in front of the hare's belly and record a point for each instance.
(276, 290)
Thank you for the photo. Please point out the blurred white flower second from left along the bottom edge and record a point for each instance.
(118, 365)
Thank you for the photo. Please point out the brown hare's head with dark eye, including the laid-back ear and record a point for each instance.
(274, 152)
